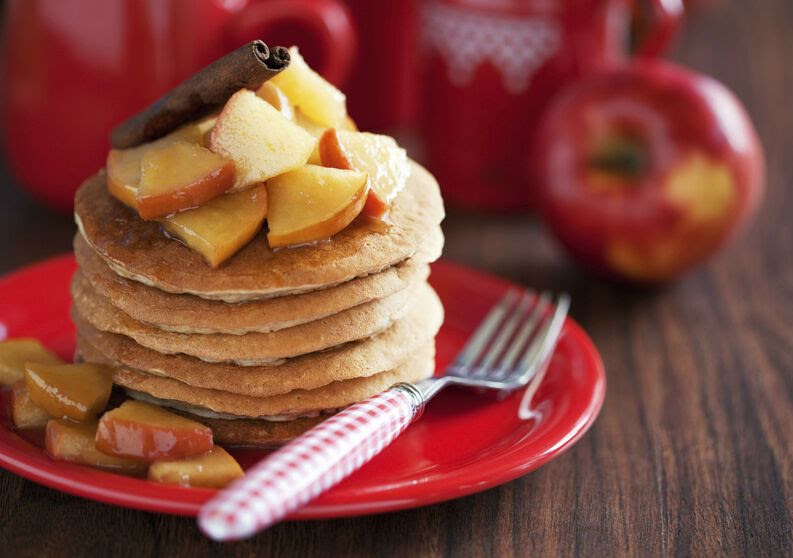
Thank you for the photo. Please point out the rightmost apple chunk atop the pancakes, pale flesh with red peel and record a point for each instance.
(378, 156)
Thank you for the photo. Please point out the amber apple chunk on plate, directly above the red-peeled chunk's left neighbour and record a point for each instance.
(75, 391)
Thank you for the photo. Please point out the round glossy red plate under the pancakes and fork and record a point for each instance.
(465, 442)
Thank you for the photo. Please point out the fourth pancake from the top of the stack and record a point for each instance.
(364, 358)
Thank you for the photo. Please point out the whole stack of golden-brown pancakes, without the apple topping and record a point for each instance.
(271, 342)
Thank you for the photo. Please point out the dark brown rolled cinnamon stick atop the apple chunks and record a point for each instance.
(247, 67)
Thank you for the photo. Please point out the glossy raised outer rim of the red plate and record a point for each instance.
(20, 457)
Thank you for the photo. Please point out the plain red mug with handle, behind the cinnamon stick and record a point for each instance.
(75, 68)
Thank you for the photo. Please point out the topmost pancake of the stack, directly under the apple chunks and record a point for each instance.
(139, 250)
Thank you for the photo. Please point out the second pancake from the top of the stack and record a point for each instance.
(191, 314)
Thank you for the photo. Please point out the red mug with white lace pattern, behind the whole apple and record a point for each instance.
(493, 65)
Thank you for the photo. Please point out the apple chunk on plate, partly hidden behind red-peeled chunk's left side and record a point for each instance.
(71, 441)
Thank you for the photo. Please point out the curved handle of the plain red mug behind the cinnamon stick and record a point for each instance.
(328, 19)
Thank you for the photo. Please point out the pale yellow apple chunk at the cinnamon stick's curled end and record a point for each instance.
(316, 97)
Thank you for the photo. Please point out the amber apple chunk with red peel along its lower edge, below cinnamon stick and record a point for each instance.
(180, 176)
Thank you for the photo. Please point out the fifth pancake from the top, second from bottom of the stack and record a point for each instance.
(335, 395)
